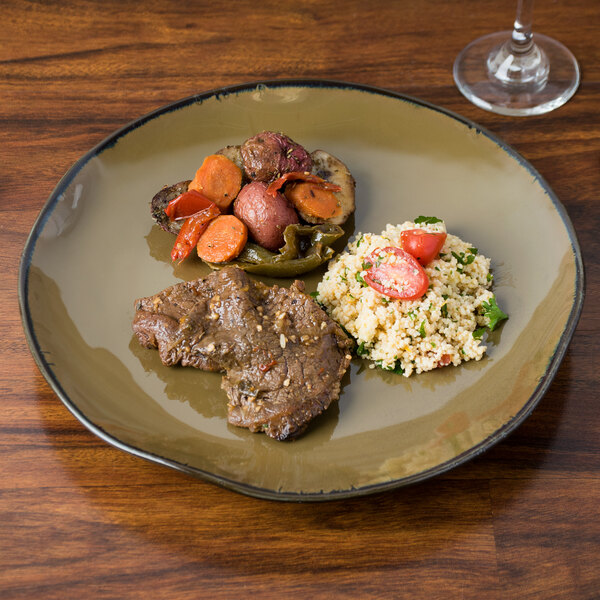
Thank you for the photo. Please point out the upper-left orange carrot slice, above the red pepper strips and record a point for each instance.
(219, 179)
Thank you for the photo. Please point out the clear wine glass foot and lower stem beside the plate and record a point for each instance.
(516, 73)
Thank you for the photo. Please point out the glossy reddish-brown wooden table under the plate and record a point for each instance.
(80, 519)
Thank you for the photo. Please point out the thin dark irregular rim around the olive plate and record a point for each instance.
(245, 488)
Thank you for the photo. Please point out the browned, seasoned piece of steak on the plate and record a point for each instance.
(282, 355)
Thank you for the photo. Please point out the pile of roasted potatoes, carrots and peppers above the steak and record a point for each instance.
(268, 206)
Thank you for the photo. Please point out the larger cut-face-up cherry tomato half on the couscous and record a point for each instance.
(396, 273)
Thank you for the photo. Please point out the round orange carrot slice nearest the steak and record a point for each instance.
(223, 240)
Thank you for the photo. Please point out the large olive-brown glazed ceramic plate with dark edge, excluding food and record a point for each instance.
(94, 250)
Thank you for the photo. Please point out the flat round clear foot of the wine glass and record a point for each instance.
(520, 100)
